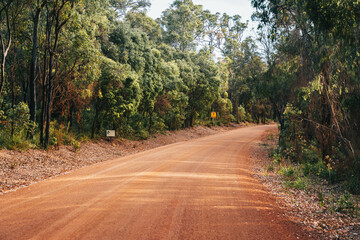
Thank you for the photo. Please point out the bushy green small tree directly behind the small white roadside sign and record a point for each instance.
(117, 98)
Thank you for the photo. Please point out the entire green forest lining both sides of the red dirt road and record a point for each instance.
(71, 69)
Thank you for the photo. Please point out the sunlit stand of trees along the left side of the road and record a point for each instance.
(72, 68)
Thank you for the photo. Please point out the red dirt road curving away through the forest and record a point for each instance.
(200, 189)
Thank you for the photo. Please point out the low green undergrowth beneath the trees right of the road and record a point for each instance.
(315, 177)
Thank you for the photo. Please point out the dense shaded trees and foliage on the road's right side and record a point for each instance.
(312, 81)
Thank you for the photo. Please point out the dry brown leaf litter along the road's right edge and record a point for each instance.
(307, 207)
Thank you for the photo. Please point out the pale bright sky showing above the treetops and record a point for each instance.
(231, 7)
